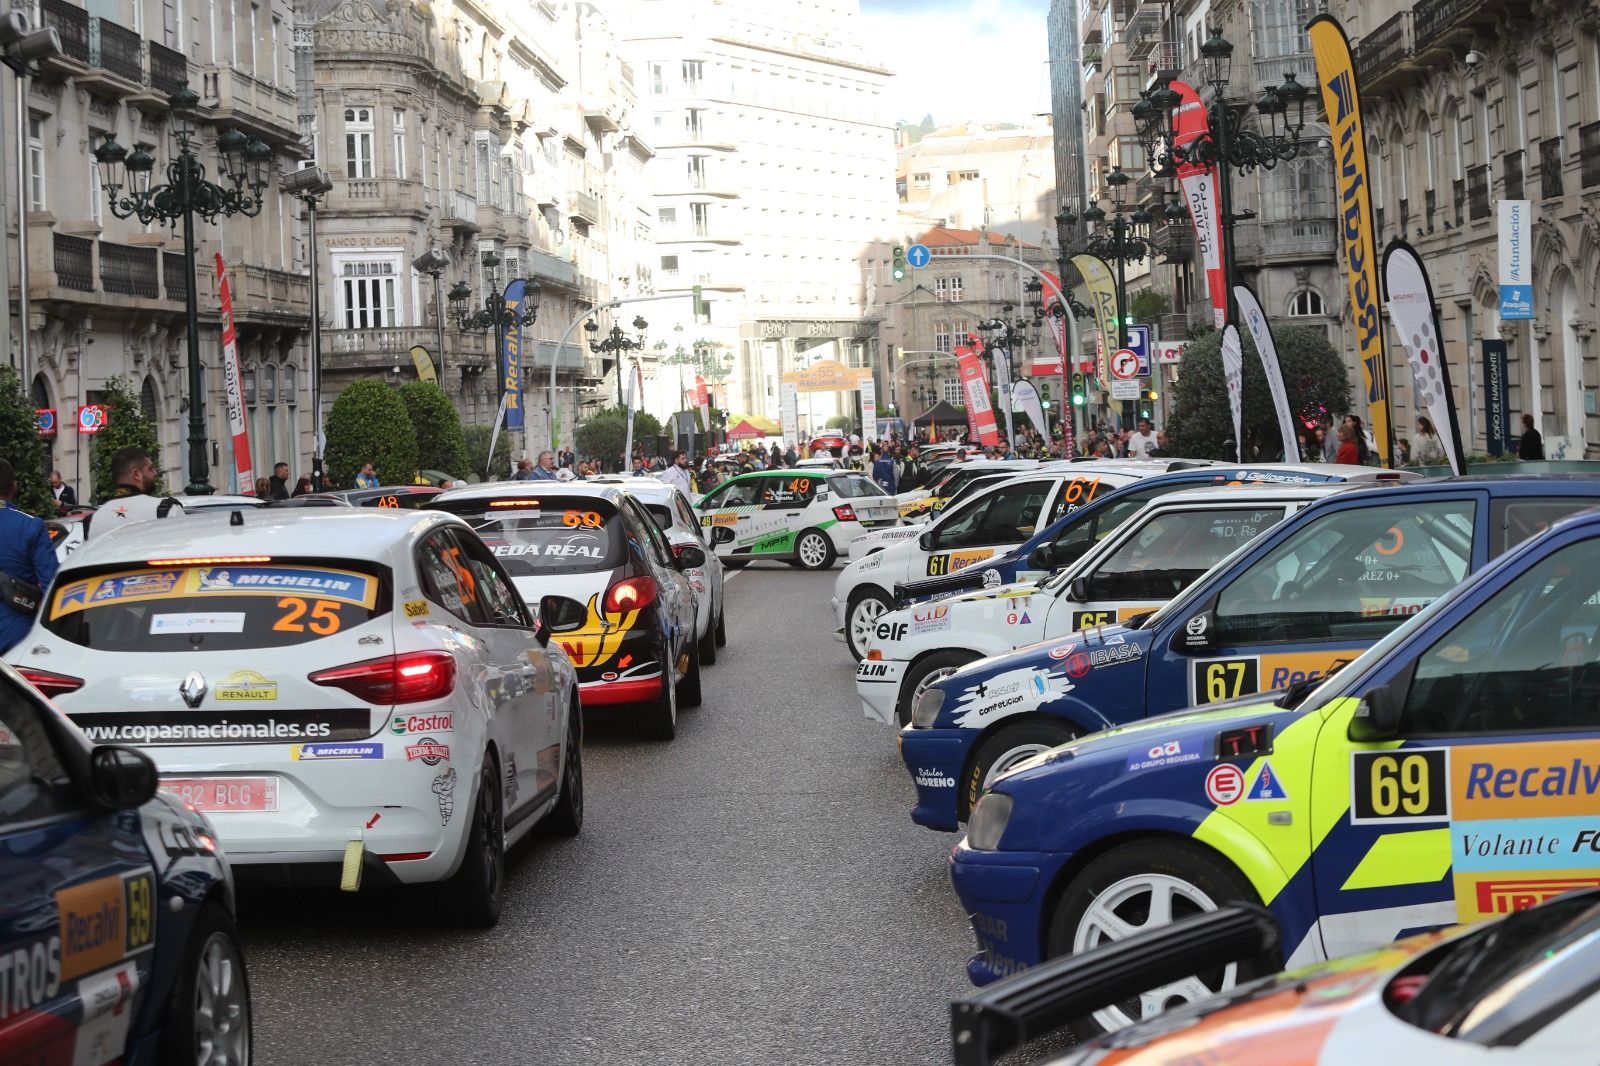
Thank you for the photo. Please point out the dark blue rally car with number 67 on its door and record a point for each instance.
(1300, 599)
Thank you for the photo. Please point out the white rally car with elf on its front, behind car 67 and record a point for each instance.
(1145, 563)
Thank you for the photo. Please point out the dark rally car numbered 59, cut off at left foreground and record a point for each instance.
(118, 939)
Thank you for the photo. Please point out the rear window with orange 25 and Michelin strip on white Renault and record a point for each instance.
(222, 607)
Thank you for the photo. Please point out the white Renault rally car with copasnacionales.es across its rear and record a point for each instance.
(343, 692)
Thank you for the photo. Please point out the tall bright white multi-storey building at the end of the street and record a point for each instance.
(774, 177)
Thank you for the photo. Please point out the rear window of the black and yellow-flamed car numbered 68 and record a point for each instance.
(548, 534)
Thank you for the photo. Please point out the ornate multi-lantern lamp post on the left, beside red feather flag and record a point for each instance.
(246, 164)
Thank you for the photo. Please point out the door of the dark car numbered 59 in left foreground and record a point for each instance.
(78, 904)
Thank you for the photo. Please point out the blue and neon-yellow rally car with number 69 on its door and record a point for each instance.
(1449, 774)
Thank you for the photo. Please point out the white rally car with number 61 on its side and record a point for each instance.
(970, 532)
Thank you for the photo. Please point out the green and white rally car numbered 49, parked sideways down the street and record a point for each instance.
(802, 518)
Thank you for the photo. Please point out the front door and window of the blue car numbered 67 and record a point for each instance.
(1316, 598)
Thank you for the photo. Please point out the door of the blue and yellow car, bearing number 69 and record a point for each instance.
(1484, 798)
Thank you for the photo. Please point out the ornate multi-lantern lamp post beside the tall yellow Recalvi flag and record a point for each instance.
(1226, 143)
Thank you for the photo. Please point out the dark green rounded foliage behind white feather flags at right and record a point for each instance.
(1201, 425)
